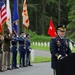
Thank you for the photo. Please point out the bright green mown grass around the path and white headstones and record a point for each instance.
(40, 59)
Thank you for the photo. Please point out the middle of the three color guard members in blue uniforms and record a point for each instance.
(22, 51)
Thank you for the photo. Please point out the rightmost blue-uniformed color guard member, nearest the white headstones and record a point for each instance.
(28, 49)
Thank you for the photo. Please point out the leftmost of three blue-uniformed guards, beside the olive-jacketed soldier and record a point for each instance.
(14, 52)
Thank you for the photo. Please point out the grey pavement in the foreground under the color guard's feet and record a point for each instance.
(36, 69)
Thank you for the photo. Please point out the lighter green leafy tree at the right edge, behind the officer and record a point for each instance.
(71, 17)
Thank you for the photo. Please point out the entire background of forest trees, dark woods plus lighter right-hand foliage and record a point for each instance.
(40, 12)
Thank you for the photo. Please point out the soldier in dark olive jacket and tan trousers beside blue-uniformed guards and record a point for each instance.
(6, 49)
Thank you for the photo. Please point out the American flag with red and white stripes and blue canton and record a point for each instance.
(3, 14)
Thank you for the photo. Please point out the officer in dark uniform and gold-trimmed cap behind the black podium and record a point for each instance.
(59, 48)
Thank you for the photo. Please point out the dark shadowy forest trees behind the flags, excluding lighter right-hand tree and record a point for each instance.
(40, 12)
